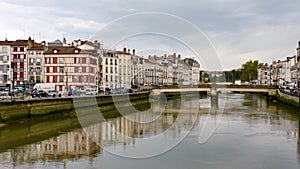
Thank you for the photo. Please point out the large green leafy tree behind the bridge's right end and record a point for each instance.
(249, 70)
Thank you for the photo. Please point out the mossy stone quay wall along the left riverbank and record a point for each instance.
(21, 111)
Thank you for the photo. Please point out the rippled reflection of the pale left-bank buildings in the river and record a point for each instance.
(88, 142)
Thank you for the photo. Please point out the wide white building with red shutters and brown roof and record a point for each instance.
(70, 67)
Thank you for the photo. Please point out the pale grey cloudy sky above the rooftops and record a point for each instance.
(238, 30)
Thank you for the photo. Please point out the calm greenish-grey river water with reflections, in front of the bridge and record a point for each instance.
(240, 131)
